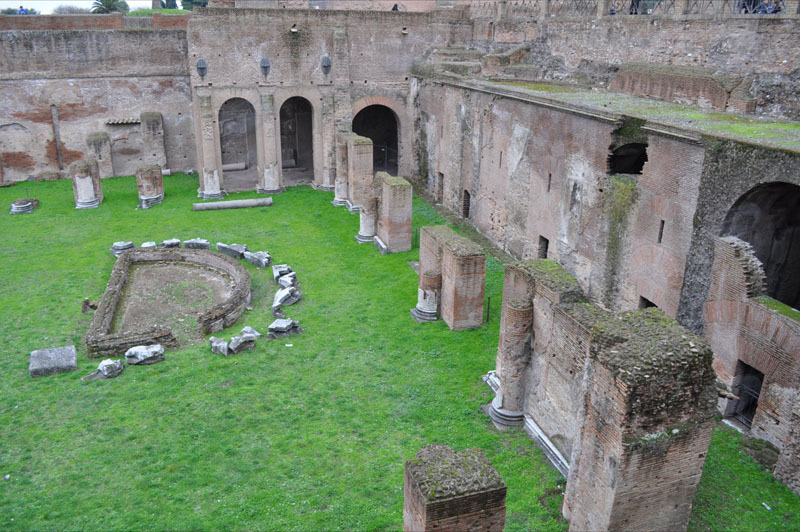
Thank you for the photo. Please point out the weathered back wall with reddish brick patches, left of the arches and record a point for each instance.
(91, 77)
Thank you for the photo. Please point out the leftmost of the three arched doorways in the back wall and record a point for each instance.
(237, 139)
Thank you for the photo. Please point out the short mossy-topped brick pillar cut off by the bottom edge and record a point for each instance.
(447, 490)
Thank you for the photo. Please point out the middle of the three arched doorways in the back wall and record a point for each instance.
(297, 142)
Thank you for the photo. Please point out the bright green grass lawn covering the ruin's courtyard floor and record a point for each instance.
(311, 436)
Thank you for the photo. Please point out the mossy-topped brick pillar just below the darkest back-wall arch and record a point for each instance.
(394, 223)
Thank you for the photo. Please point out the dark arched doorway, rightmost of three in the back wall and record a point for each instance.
(379, 124)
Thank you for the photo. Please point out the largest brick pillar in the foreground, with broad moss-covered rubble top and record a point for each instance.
(647, 426)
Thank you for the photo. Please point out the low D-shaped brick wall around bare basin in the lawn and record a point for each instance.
(100, 341)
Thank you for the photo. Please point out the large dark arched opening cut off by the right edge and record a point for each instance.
(768, 218)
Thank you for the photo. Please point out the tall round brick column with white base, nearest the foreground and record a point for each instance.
(513, 354)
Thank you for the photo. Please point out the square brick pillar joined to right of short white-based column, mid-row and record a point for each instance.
(463, 281)
